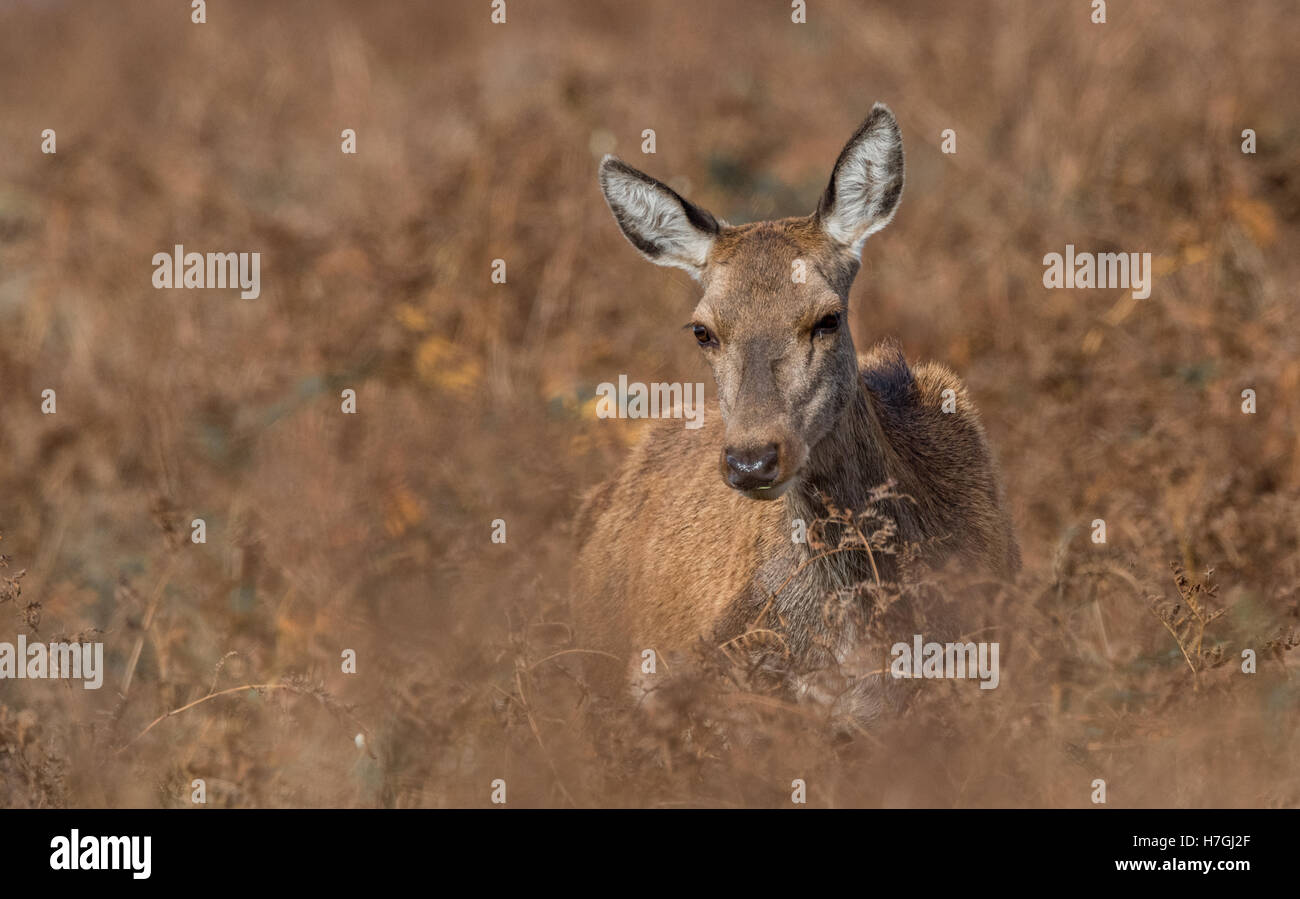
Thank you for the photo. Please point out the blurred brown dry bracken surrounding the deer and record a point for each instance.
(371, 532)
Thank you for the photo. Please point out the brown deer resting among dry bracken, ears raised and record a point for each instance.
(692, 538)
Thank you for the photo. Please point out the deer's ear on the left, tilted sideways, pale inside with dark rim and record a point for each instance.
(668, 229)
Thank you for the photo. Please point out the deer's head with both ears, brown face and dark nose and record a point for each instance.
(773, 316)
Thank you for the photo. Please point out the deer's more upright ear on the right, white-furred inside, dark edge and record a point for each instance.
(866, 184)
